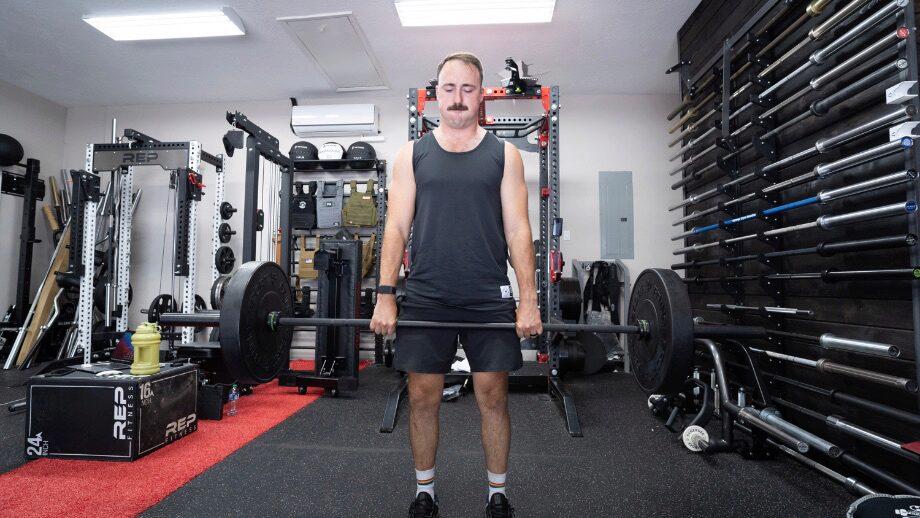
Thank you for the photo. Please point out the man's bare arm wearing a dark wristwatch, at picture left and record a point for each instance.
(400, 213)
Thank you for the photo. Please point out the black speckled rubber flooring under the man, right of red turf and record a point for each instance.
(329, 460)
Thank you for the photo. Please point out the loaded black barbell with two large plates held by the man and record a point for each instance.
(255, 326)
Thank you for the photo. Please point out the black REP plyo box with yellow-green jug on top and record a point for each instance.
(102, 412)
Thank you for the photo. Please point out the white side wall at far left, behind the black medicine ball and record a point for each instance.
(38, 124)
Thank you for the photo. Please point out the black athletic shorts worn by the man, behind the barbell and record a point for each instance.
(433, 350)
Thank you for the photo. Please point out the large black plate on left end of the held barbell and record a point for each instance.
(252, 352)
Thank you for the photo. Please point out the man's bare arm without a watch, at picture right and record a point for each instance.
(520, 241)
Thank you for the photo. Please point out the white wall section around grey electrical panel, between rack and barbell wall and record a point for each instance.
(617, 133)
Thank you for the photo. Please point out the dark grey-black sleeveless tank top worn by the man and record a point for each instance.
(458, 253)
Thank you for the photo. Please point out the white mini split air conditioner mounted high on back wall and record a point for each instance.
(335, 120)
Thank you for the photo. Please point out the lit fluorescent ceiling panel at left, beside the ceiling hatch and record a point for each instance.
(164, 26)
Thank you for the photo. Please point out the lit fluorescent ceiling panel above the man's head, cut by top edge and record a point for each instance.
(417, 13)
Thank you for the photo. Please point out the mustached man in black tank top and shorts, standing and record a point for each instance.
(463, 190)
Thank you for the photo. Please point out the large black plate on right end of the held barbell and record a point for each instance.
(662, 359)
